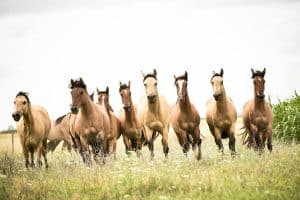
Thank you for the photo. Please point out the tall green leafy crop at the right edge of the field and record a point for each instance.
(286, 123)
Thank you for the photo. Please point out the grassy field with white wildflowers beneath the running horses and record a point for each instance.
(248, 176)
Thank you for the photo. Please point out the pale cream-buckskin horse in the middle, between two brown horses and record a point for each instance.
(153, 112)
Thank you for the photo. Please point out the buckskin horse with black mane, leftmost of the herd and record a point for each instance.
(33, 128)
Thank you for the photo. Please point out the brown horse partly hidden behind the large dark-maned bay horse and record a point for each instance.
(115, 124)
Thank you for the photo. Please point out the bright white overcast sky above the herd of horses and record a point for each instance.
(45, 43)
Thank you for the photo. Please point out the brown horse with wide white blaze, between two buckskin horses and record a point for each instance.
(185, 118)
